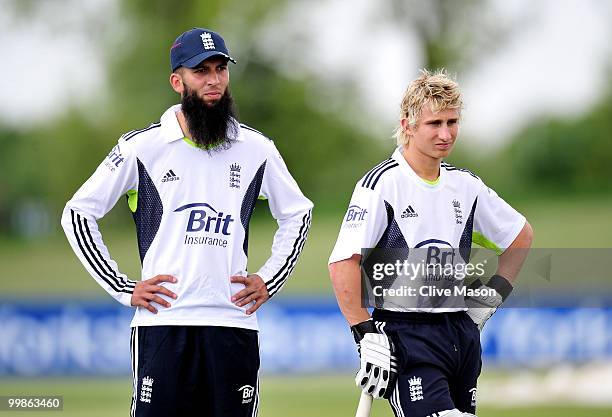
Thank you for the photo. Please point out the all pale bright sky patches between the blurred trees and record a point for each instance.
(558, 63)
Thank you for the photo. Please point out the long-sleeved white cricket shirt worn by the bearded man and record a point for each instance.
(192, 210)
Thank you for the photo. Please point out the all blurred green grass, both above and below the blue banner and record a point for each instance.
(47, 268)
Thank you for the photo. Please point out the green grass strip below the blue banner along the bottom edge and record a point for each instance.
(280, 396)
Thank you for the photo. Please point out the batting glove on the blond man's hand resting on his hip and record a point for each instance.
(482, 307)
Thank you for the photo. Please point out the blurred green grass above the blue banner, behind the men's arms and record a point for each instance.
(49, 268)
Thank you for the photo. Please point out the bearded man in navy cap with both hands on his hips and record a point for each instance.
(191, 182)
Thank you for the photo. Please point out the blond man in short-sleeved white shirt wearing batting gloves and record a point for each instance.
(423, 353)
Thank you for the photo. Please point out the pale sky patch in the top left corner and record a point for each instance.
(52, 58)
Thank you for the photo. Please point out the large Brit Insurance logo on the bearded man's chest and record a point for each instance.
(206, 225)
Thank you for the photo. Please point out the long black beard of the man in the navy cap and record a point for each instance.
(211, 126)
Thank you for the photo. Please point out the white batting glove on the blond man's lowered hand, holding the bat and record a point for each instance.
(378, 371)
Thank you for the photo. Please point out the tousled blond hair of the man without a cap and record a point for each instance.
(437, 89)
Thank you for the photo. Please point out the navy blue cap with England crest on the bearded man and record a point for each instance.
(196, 45)
